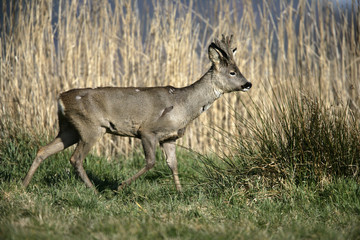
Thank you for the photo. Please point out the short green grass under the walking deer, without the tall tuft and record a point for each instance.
(57, 204)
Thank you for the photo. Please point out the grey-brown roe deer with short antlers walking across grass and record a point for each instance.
(152, 114)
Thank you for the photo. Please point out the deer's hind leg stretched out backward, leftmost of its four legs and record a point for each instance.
(64, 139)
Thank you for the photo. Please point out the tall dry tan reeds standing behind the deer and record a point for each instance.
(284, 49)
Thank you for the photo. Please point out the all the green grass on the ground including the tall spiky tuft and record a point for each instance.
(248, 193)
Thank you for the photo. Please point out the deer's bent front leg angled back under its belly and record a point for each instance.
(149, 144)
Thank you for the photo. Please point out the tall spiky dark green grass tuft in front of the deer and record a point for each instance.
(301, 140)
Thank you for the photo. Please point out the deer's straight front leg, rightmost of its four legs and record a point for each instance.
(170, 155)
